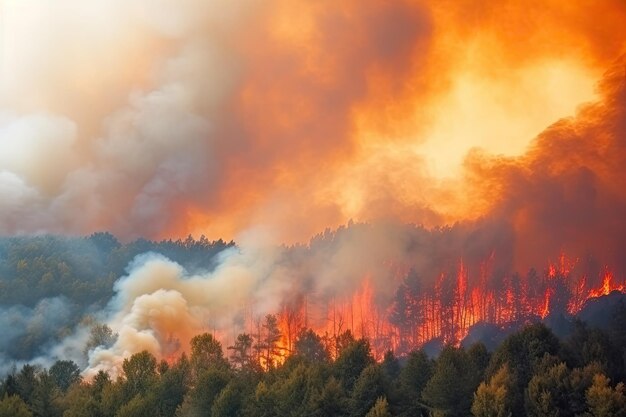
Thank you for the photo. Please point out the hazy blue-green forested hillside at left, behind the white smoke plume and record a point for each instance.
(49, 283)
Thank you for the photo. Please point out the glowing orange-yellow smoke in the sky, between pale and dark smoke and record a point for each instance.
(357, 100)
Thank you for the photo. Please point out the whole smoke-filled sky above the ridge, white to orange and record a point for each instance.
(161, 118)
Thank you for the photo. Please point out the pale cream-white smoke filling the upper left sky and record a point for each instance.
(106, 108)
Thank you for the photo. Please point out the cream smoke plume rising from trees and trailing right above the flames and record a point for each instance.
(159, 306)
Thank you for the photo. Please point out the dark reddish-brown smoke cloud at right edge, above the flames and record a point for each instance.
(565, 194)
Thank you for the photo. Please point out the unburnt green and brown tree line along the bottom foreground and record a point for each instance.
(531, 373)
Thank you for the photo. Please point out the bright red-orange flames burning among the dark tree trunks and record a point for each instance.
(448, 310)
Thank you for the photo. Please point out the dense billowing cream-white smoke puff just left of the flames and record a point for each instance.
(159, 307)
